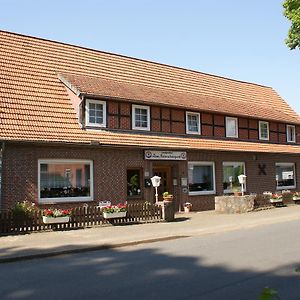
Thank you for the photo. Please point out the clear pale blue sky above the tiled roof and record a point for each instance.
(237, 39)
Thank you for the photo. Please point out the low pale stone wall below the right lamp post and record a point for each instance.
(234, 204)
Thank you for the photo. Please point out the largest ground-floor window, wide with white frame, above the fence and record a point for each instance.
(65, 180)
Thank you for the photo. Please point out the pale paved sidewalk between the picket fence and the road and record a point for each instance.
(43, 244)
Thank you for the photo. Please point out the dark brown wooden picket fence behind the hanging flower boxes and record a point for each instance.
(81, 217)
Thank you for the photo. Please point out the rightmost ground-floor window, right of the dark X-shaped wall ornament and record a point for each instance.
(285, 176)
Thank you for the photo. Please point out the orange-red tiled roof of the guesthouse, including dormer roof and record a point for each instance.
(35, 105)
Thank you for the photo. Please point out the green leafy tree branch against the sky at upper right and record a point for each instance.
(292, 12)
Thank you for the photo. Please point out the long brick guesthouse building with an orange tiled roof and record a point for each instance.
(80, 125)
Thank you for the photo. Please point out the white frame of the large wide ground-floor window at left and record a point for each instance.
(66, 199)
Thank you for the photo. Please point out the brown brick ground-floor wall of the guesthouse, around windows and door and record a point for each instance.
(20, 172)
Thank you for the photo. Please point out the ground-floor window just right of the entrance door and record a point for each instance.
(201, 178)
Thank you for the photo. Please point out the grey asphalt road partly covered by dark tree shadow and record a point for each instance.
(231, 265)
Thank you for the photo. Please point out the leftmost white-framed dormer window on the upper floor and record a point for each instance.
(95, 113)
